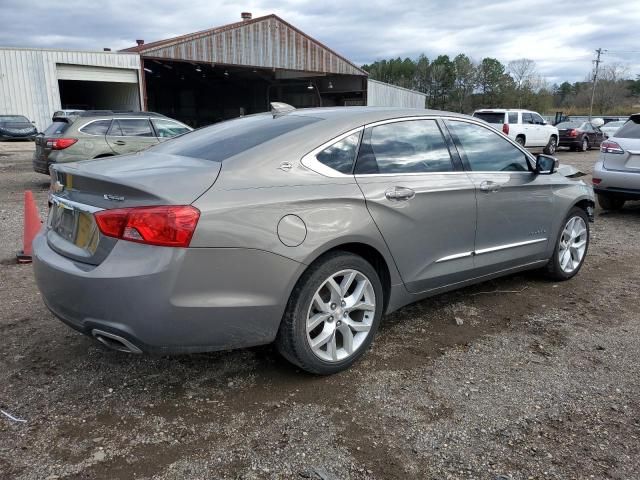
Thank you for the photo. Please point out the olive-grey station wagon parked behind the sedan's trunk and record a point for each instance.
(82, 135)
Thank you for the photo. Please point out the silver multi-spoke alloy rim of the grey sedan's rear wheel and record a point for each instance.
(341, 315)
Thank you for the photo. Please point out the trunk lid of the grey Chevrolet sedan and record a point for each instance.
(78, 190)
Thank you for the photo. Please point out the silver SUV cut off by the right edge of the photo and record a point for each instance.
(616, 174)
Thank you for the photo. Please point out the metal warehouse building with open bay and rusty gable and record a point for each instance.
(199, 78)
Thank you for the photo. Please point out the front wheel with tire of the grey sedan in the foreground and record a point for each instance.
(571, 246)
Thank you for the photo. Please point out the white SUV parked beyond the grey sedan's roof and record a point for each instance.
(527, 128)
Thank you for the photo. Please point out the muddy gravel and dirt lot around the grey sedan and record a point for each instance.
(540, 381)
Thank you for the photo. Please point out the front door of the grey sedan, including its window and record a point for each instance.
(513, 202)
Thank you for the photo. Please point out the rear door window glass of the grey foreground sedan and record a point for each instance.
(413, 146)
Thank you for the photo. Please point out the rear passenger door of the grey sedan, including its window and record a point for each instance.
(421, 200)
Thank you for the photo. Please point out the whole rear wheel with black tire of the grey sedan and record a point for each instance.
(332, 315)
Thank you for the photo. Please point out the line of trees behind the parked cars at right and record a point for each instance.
(463, 85)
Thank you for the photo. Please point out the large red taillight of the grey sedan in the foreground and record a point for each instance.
(168, 226)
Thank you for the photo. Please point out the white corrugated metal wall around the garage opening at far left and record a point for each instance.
(29, 82)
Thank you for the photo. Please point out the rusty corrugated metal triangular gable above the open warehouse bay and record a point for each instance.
(267, 42)
